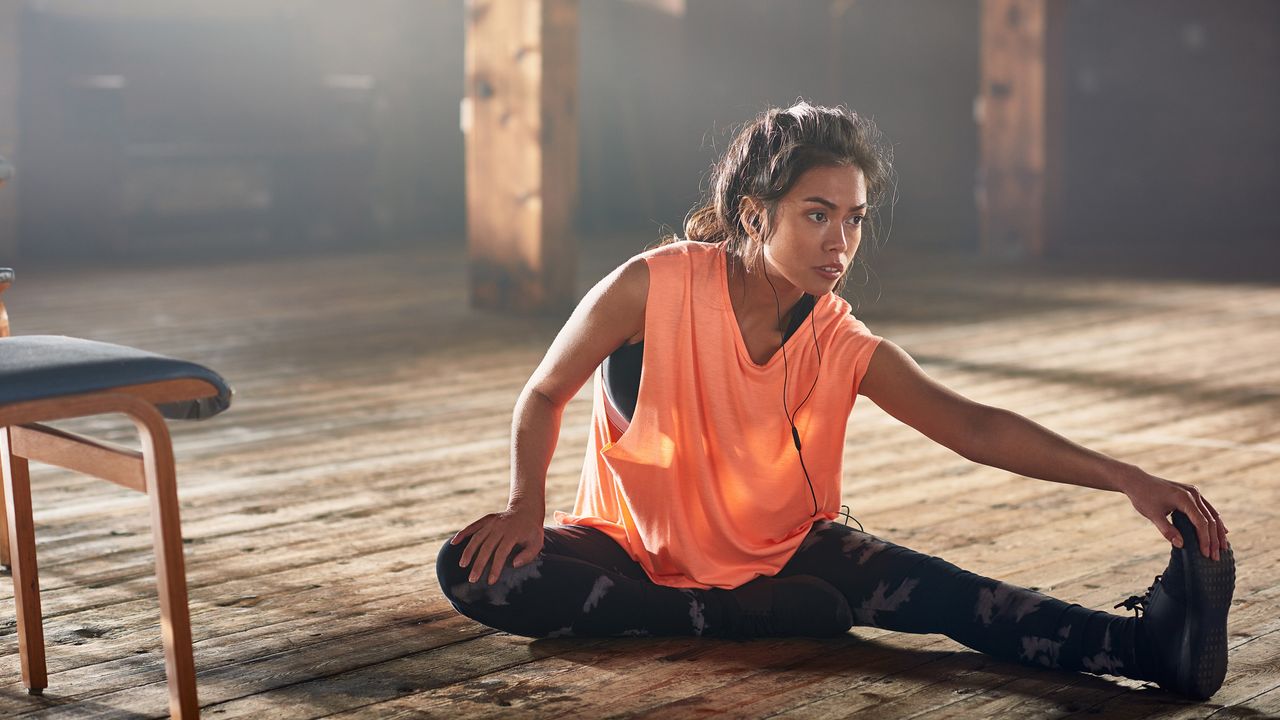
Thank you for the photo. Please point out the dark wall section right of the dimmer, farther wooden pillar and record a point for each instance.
(1172, 133)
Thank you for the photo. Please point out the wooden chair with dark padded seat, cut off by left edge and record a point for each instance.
(45, 379)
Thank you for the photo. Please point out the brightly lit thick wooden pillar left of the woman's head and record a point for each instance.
(520, 120)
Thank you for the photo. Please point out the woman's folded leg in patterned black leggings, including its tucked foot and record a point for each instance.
(583, 584)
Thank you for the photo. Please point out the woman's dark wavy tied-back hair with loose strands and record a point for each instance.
(769, 156)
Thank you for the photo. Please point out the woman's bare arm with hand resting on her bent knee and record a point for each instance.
(611, 315)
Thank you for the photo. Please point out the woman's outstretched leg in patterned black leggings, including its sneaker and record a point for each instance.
(1181, 642)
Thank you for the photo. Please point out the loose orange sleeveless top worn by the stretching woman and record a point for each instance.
(705, 489)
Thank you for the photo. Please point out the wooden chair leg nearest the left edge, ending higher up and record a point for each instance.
(26, 578)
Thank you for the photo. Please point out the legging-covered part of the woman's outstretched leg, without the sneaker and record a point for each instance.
(889, 586)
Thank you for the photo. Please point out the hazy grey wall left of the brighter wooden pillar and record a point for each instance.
(239, 129)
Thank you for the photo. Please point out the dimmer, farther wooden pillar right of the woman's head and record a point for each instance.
(1020, 117)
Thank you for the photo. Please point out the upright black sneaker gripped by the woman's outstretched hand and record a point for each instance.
(1185, 625)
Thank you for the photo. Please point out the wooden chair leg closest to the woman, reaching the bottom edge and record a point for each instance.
(171, 571)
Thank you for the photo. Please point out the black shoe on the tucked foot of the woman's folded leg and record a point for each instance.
(798, 605)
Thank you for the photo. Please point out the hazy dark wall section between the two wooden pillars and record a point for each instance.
(661, 97)
